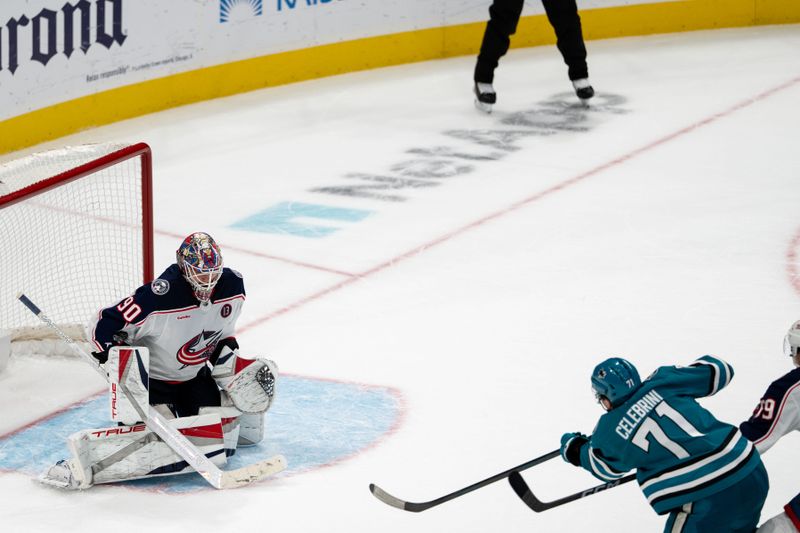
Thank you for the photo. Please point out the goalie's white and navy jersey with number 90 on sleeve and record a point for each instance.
(166, 317)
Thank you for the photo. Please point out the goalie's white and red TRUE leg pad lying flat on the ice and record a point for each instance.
(132, 452)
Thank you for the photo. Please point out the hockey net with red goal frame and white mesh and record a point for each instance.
(75, 236)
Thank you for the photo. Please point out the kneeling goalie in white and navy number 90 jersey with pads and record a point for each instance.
(171, 345)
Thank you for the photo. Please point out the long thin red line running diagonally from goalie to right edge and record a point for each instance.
(522, 203)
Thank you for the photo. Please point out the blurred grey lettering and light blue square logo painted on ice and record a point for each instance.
(434, 166)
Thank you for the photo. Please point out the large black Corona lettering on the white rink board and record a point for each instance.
(82, 24)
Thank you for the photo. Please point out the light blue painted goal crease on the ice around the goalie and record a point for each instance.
(312, 423)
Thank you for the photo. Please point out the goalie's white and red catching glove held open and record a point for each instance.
(250, 383)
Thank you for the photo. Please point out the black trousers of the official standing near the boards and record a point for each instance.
(503, 18)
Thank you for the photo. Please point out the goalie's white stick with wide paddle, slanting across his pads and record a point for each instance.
(219, 479)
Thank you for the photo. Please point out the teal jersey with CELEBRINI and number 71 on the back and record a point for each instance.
(681, 453)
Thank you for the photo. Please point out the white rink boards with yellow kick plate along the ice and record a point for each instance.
(198, 55)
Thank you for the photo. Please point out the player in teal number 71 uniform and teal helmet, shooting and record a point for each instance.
(700, 471)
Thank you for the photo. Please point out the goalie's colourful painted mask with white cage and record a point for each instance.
(200, 262)
